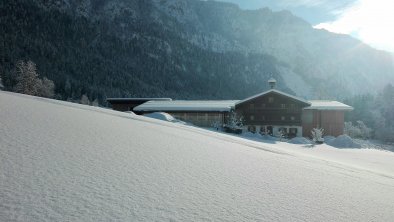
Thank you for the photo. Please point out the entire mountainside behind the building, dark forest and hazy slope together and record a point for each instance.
(184, 49)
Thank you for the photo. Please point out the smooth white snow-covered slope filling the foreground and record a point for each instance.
(68, 162)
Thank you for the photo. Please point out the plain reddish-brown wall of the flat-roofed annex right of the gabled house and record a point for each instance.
(332, 121)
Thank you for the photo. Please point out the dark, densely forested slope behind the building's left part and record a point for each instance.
(117, 55)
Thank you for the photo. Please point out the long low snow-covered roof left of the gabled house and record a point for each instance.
(187, 105)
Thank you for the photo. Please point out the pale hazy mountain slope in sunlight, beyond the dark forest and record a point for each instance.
(322, 59)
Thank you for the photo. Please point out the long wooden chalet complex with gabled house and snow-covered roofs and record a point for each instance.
(272, 112)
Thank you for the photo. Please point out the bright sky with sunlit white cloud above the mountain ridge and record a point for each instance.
(371, 21)
